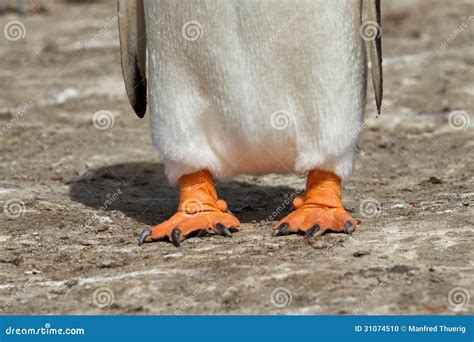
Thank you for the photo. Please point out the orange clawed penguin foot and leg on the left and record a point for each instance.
(199, 211)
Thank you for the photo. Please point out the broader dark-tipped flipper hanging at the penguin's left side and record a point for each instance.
(133, 52)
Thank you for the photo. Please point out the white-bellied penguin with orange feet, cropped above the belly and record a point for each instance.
(251, 87)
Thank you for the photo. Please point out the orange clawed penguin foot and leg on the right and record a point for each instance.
(320, 210)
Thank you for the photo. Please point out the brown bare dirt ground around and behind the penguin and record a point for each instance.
(75, 197)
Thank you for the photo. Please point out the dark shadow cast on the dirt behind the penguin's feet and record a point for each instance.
(142, 192)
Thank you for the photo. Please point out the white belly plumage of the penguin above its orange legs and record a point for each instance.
(255, 87)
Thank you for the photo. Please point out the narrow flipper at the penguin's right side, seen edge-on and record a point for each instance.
(375, 52)
